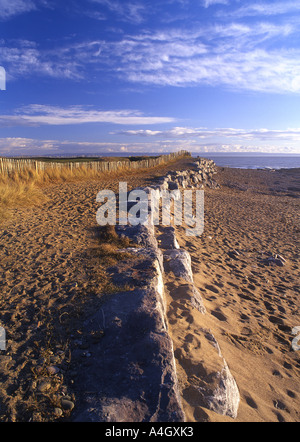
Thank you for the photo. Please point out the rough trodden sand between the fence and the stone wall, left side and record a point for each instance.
(52, 277)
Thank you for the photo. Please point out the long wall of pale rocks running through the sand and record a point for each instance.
(131, 376)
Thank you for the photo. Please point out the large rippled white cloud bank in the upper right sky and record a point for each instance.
(233, 55)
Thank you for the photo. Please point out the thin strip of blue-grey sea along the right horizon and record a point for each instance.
(254, 162)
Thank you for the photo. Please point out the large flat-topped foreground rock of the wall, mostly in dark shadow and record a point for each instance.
(131, 375)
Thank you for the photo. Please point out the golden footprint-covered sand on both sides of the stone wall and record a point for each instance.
(51, 279)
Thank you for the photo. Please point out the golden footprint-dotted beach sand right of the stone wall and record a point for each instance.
(251, 307)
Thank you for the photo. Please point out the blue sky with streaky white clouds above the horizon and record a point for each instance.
(83, 77)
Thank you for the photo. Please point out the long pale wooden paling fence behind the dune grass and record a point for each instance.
(11, 165)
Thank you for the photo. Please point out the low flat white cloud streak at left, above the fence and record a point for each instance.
(37, 115)
